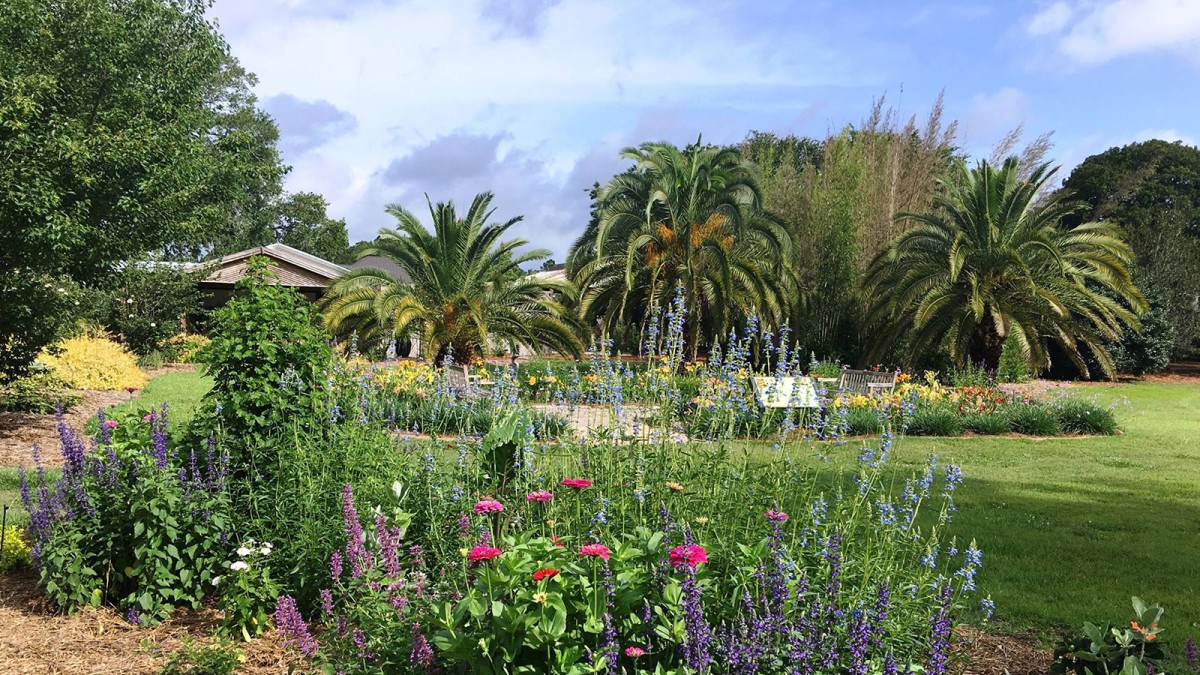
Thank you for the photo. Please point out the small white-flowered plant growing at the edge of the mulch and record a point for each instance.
(248, 592)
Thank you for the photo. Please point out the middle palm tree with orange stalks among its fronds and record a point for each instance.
(689, 219)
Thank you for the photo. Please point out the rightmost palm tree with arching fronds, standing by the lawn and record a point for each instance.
(992, 261)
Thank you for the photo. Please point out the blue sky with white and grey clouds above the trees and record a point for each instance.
(386, 101)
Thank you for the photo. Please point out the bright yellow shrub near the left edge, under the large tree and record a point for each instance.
(94, 362)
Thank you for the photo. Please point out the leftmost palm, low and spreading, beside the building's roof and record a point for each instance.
(467, 288)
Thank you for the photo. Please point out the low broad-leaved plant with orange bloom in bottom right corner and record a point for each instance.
(1117, 650)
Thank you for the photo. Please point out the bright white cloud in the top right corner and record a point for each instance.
(1090, 33)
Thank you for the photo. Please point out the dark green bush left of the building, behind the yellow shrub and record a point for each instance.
(147, 303)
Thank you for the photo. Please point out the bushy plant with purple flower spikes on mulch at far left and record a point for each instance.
(131, 522)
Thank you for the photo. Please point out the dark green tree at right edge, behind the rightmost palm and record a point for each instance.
(1153, 192)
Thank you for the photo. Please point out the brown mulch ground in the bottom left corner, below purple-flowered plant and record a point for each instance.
(99, 642)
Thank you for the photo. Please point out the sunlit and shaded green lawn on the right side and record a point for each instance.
(1072, 528)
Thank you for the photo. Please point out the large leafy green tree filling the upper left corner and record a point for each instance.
(118, 136)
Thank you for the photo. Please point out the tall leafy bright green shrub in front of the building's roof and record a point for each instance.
(268, 361)
